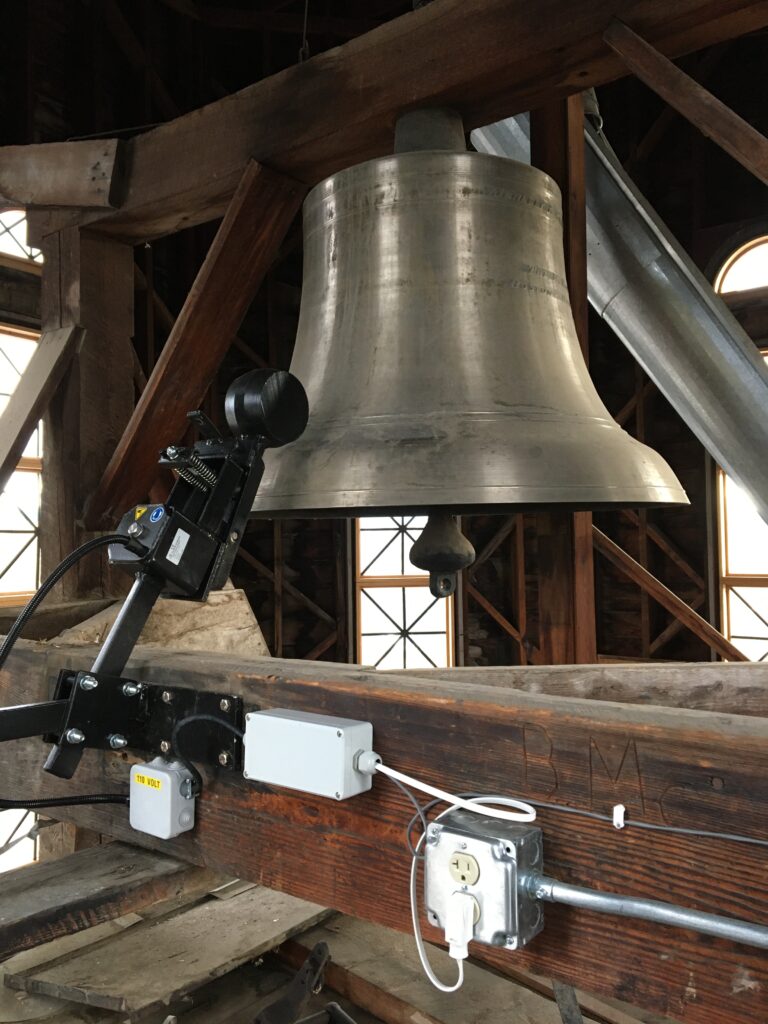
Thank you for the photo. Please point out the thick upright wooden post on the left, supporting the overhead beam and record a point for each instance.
(89, 283)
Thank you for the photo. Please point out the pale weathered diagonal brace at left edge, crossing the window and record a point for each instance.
(30, 400)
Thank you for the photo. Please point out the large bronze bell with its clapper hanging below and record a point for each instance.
(438, 348)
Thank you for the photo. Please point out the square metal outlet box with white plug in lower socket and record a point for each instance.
(471, 852)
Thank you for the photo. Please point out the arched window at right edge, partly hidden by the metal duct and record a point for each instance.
(744, 535)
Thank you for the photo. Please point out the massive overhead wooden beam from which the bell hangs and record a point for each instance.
(489, 60)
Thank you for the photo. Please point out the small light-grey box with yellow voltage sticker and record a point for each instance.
(160, 804)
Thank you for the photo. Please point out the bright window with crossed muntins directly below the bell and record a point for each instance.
(400, 624)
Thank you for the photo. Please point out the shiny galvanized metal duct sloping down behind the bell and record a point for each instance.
(666, 313)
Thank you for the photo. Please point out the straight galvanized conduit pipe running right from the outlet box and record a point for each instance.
(551, 891)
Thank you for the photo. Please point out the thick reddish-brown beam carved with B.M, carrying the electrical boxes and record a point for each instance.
(669, 766)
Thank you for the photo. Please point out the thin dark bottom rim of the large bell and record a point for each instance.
(360, 513)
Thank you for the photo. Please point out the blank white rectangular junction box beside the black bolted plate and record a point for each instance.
(315, 754)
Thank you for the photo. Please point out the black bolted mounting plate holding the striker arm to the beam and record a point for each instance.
(146, 720)
